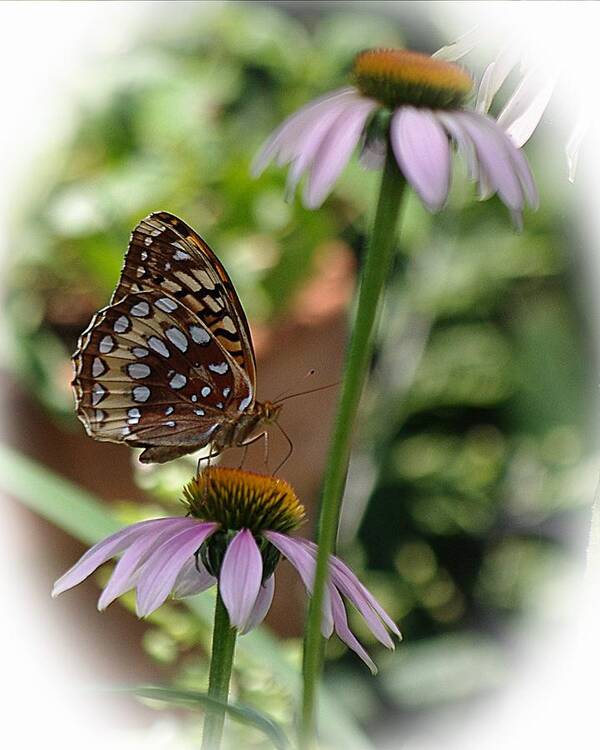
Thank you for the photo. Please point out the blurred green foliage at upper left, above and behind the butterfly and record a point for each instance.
(173, 123)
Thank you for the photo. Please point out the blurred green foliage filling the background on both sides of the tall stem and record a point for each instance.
(474, 445)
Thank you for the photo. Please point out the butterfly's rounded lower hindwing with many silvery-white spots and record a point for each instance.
(150, 373)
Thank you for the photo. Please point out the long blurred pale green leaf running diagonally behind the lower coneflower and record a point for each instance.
(78, 512)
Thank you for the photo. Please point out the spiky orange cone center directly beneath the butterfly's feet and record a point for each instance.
(238, 499)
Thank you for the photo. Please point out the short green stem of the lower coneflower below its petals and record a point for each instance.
(221, 662)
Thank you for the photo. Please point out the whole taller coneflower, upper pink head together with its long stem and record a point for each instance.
(407, 111)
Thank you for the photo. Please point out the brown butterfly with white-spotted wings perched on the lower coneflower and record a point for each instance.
(169, 365)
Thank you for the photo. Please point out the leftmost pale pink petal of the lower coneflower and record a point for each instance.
(107, 548)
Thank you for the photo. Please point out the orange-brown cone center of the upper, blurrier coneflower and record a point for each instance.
(395, 77)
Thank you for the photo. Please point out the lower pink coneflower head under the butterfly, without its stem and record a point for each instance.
(172, 555)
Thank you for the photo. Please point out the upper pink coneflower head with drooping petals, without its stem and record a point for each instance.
(425, 101)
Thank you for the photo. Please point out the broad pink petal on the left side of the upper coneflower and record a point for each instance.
(335, 150)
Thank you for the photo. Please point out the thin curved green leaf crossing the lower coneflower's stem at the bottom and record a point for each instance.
(192, 698)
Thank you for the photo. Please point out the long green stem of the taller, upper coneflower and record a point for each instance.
(375, 271)
